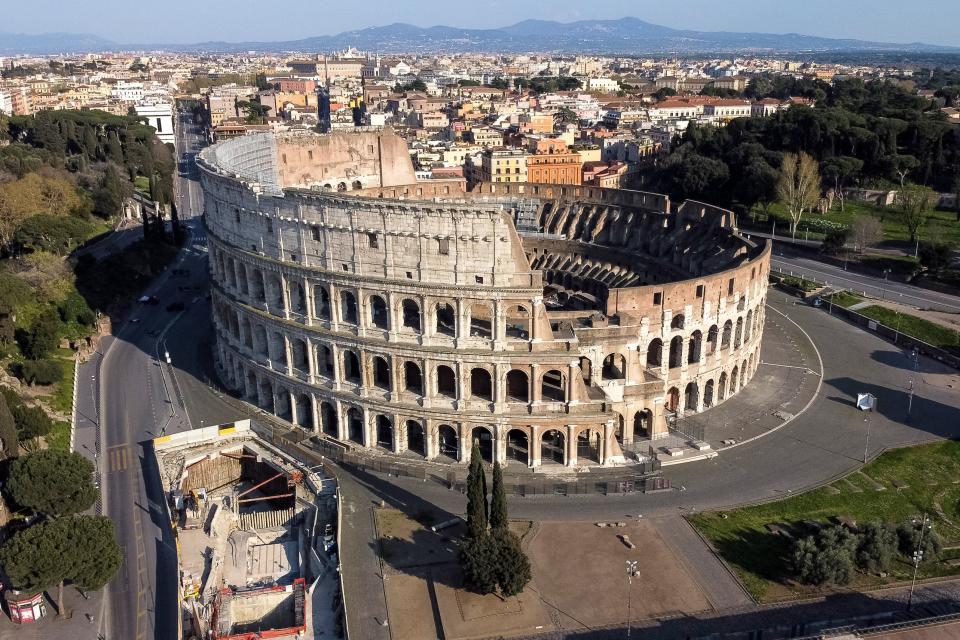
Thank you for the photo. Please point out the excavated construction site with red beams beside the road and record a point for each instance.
(256, 537)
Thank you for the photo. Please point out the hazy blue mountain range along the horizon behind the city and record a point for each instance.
(626, 36)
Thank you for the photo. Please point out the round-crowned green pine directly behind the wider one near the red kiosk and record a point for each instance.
(54, 483)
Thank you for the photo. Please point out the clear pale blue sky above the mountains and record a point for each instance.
(185, 21)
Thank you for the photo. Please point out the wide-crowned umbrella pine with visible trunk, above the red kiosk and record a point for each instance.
(82, 549)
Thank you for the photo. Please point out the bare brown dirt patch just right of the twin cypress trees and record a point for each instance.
(580, 571)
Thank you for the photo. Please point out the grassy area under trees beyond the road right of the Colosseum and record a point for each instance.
(814, 226)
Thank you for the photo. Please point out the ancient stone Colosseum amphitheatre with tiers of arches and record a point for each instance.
(554, 325)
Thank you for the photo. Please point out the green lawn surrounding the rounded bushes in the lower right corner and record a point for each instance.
(914, 481)
